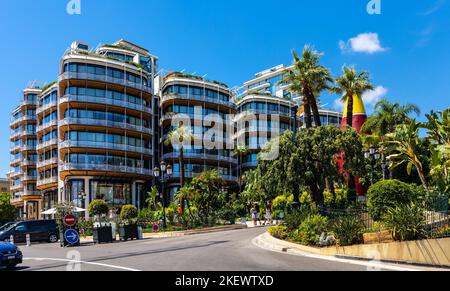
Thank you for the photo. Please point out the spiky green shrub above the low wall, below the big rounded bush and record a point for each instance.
(406, 222)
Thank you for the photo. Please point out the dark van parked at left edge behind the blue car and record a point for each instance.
(39, 230)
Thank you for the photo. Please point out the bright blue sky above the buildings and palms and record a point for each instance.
(405, 48)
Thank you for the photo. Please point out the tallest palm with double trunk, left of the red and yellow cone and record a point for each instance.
(308, 79)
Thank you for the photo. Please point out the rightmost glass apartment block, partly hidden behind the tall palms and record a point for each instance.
(264, 95)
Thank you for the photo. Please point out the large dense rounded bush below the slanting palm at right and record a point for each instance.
(388, 194)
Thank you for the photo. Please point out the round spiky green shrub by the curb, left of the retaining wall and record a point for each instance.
(348, 230)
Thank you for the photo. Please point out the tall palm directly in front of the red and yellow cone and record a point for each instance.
(350, 84)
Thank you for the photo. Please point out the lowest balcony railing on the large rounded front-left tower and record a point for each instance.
(104, 168)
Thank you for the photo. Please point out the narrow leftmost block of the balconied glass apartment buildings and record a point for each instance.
(23, 174)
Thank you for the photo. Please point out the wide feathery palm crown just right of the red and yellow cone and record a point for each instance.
(387, 117)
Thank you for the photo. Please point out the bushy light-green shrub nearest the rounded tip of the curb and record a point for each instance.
(310, 230)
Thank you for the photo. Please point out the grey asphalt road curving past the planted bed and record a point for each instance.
(220, 251)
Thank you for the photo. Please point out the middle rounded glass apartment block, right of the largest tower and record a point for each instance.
(204, 105)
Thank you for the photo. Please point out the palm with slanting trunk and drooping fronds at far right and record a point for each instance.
(404, 143)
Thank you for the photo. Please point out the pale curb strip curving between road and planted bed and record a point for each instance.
(372, 265)
